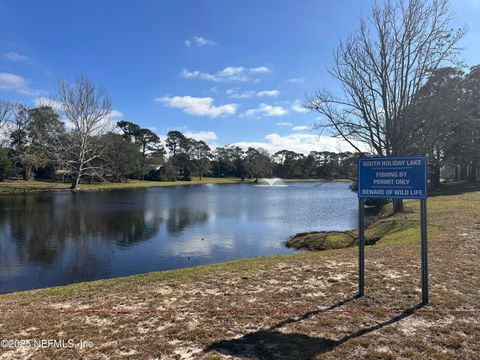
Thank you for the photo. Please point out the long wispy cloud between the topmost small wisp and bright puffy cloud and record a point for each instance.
(228, 74)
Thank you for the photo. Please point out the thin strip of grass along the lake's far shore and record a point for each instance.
(9, 187)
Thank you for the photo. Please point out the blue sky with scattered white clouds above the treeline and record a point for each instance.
(226, 72)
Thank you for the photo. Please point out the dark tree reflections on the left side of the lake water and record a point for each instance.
(43, 226)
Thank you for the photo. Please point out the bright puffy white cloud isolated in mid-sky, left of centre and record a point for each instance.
(198, 106)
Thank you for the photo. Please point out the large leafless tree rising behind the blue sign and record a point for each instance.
(381, 67)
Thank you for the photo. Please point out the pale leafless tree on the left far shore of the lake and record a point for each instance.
(86, 107)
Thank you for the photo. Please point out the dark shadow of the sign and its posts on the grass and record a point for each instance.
(273, 344)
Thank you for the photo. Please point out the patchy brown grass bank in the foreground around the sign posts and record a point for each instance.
(301, 306)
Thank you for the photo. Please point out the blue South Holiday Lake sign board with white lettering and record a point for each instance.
(392, 177)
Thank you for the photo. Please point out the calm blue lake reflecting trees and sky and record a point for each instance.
(49, 239)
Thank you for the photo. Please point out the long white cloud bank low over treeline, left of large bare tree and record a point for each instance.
(300, 143)
